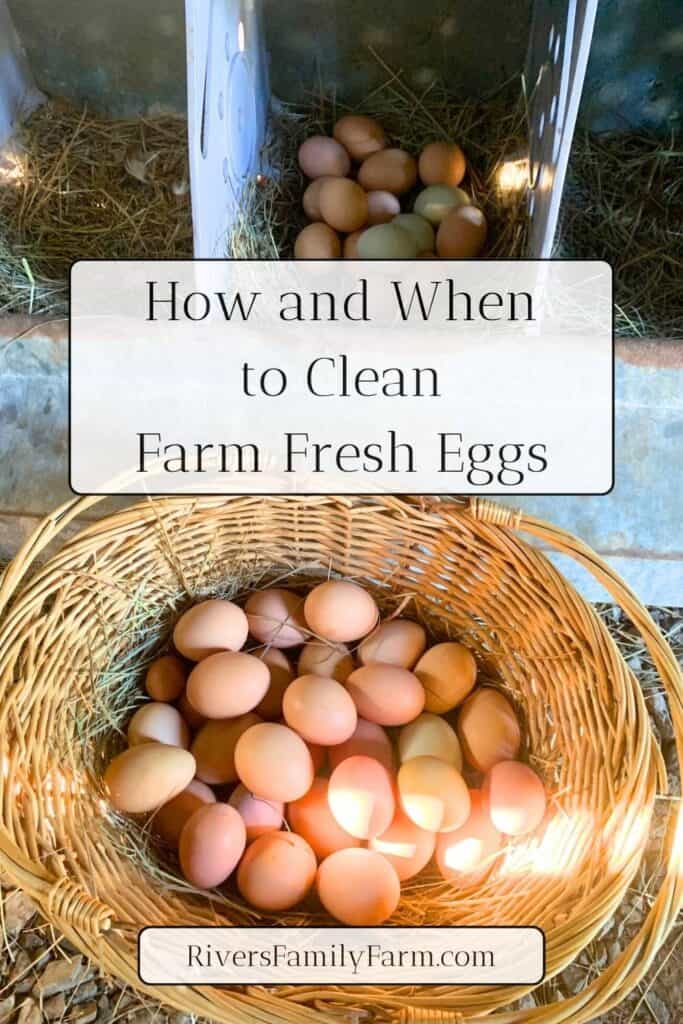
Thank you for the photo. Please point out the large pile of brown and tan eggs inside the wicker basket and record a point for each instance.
(338, 752)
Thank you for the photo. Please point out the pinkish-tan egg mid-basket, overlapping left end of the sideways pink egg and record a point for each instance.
(320, 710)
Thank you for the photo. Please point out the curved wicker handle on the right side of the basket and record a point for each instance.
(631, 967)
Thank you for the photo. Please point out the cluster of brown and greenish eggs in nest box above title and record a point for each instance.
(362, 217)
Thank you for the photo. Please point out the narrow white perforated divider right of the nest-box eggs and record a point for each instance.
(562, 33)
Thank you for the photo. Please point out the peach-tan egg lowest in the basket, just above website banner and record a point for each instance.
(359, 887)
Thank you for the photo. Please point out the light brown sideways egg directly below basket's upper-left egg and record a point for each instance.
(228, 685)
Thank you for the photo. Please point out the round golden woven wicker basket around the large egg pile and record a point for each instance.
(469, 575)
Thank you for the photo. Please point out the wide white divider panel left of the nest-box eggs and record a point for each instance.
(228, 100)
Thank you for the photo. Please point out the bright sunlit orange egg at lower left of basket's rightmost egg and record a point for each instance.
(466, 856)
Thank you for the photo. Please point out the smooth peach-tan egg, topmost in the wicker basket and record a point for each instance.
(340, 611)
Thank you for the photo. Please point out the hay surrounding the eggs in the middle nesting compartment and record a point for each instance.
(491, 133)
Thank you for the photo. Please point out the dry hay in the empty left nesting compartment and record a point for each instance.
(76, 187)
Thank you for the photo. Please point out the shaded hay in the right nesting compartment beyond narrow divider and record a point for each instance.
(624, 204)
